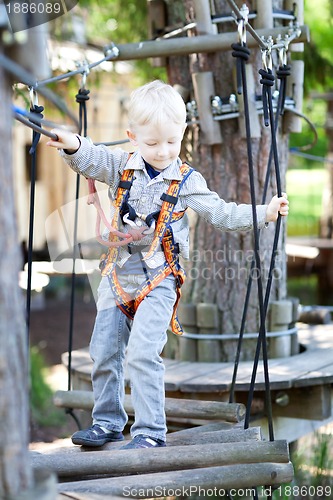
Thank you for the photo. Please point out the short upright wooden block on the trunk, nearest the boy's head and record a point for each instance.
(203, 86)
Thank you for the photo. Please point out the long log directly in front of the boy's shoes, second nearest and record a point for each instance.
(127, 462)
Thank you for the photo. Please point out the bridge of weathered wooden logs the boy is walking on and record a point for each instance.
(216, 456)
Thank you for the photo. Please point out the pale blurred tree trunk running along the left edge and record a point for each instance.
(15, 470)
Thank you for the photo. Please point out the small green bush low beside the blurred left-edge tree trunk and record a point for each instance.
(43, 411)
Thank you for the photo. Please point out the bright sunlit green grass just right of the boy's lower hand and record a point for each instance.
(305, 189)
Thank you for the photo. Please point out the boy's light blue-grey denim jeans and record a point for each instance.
(142, 340)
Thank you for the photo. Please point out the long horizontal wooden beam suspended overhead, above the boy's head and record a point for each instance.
(196, 44)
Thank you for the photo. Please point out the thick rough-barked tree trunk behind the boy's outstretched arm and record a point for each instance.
(220, 262)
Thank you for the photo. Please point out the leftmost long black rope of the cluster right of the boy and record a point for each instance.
(238, 52)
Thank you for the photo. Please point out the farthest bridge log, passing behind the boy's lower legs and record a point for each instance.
(180, 408)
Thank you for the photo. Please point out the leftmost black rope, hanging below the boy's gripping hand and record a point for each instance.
(35, 139)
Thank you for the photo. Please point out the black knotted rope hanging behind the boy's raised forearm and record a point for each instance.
(82, 97)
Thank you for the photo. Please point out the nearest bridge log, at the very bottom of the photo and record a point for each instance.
(188, 482)
